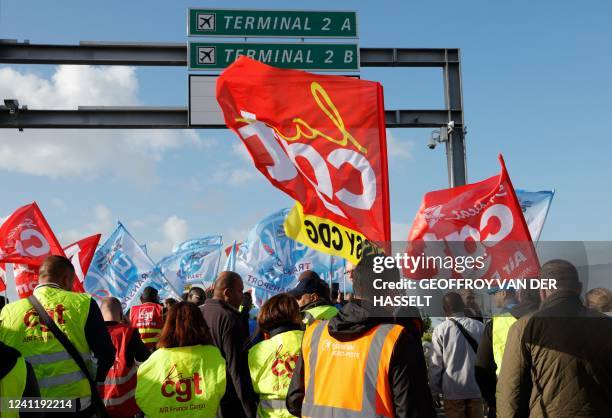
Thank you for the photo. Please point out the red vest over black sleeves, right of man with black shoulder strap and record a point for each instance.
(120, 385)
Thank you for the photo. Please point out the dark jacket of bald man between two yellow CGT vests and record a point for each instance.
(231, 338)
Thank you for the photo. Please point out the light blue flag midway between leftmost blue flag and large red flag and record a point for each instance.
(193, 262)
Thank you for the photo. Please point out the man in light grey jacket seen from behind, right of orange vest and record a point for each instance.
(455, 343)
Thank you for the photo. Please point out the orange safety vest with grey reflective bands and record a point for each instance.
(329, 364)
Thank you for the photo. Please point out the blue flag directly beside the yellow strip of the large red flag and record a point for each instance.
(270, 262)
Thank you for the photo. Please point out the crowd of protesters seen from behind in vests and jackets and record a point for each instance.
(308, 353)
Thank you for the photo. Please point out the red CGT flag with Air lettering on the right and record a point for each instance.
(483, 219)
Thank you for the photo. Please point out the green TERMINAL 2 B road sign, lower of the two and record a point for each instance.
(328, 57)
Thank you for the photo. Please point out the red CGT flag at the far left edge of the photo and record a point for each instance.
(26, 238)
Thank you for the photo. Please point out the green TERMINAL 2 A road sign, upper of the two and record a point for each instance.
(272, 23)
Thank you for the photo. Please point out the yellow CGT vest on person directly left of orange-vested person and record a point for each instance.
(271, 363)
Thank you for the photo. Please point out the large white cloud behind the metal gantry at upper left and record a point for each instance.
(85, 153)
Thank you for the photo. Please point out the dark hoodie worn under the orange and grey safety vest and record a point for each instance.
(407, 370)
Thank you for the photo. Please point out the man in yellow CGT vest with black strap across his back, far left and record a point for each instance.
(78, 317)
